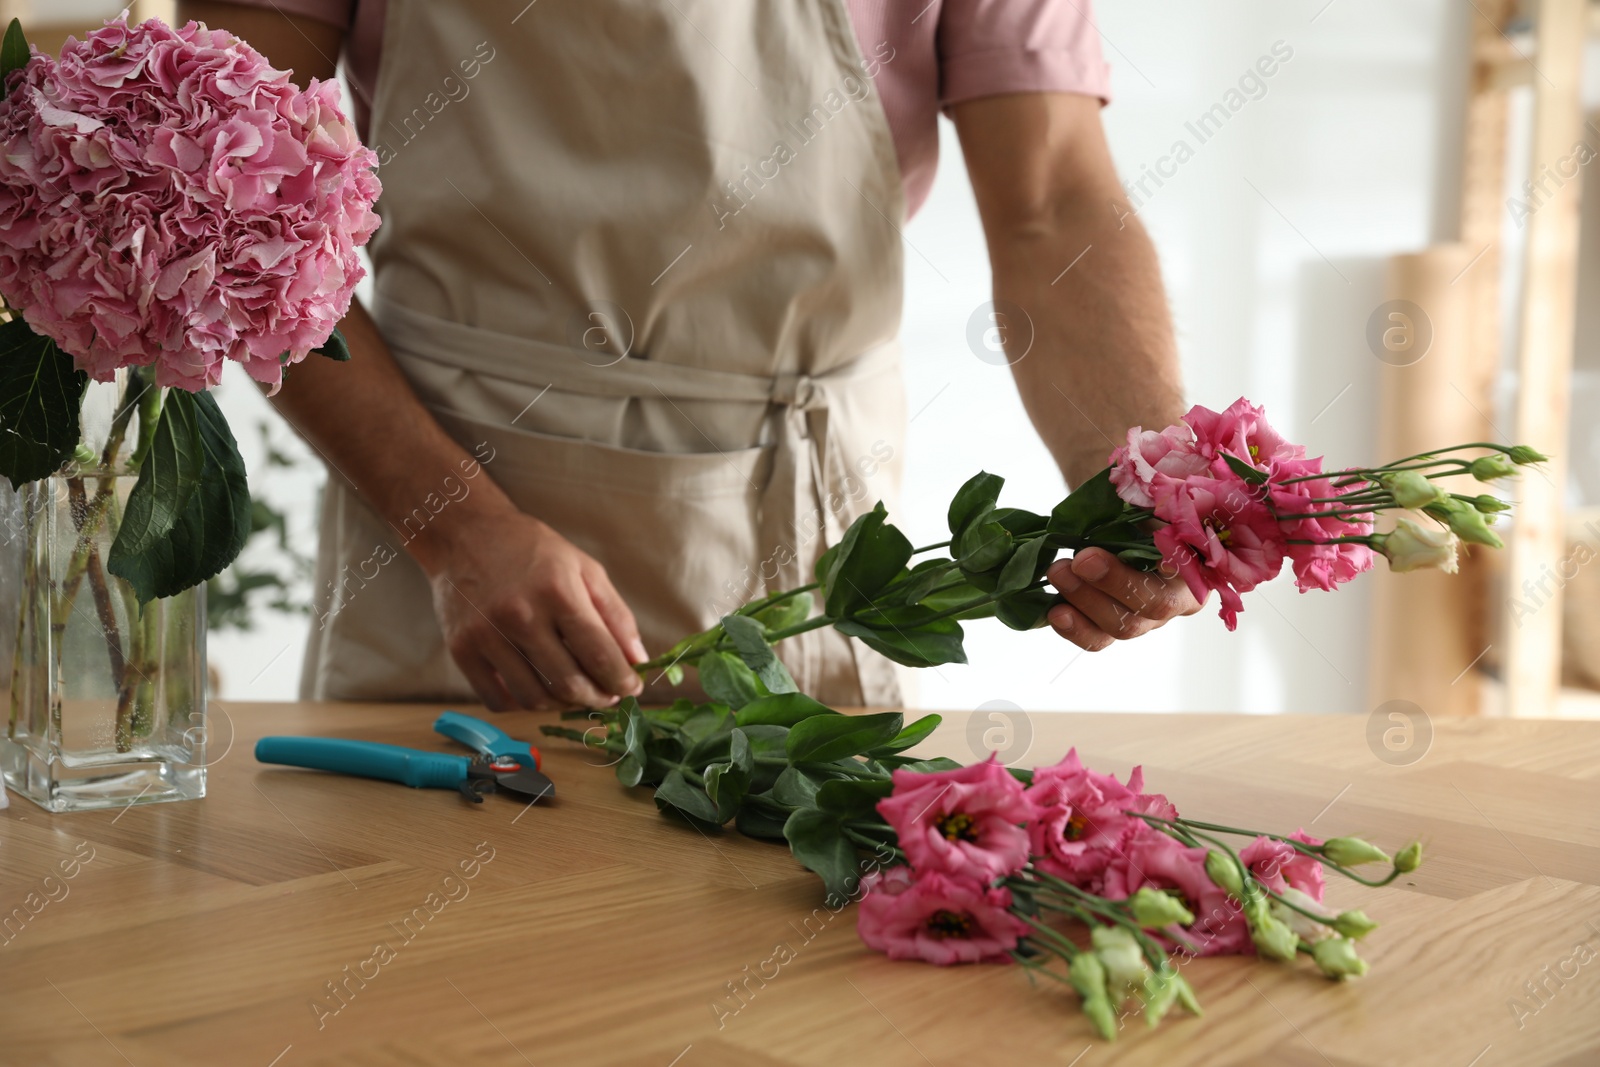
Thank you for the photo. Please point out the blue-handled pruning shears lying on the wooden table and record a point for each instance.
(503, 762)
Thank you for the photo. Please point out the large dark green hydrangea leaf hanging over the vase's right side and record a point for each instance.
(212, 527)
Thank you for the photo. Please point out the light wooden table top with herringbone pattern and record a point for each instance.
(297, 917)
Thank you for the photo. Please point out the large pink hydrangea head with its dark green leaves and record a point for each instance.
(169, 204)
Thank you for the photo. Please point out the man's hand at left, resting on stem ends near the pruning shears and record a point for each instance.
(534, 621)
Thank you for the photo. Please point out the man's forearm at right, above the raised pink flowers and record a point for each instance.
(1103, 356)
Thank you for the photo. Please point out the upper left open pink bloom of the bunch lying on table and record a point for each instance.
(964, 823)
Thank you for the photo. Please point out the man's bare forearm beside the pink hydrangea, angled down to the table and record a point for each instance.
(367, 423)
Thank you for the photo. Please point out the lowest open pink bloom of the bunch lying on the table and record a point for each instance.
(937, 919)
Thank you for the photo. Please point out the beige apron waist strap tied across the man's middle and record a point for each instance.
(542, 364)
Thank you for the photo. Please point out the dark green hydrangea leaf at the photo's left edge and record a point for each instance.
(41, 394)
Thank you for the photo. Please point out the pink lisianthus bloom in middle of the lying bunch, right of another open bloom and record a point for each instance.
(1082, 825)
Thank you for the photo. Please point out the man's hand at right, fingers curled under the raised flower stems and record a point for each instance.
(1110, 601)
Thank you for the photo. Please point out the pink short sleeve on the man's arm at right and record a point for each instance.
(993, 47)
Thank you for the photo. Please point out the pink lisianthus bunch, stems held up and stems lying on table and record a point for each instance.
(985, 863)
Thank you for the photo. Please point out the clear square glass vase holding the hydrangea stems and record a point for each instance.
(105, 698)
